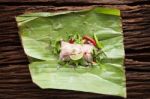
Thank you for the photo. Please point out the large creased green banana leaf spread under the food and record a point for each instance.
(36, 30)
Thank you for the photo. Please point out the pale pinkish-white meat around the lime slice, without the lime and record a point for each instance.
(68, 49)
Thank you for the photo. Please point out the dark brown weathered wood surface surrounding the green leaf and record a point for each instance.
(15, 80)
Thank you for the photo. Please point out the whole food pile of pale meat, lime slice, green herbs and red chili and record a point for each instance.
(78, 50)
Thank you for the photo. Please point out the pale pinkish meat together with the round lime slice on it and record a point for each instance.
(74, 51)
